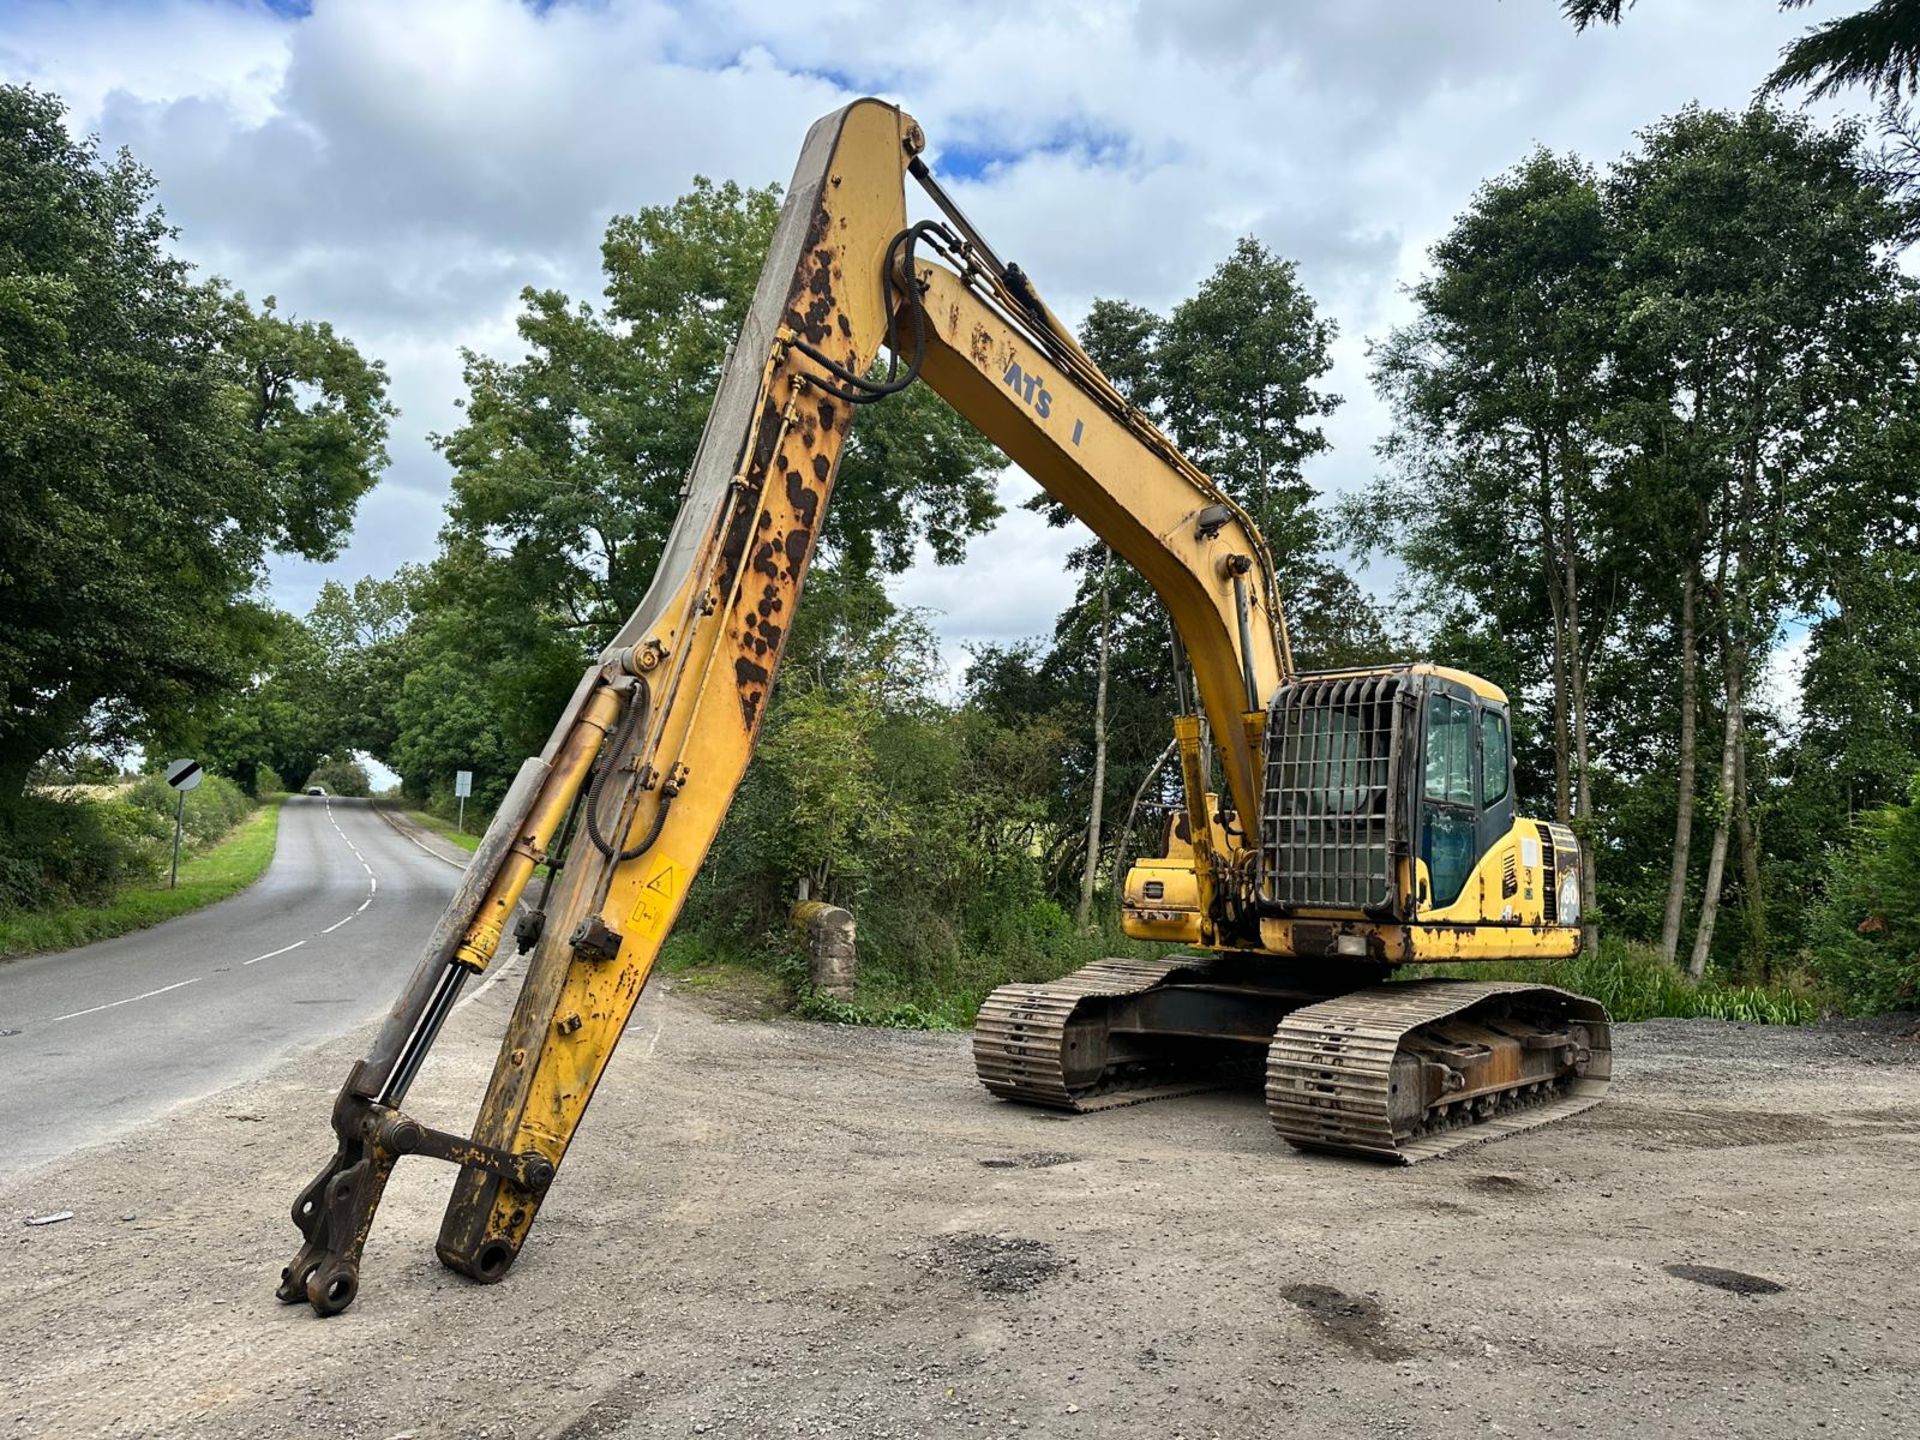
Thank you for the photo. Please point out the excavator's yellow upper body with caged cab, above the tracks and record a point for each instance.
(1387, 834)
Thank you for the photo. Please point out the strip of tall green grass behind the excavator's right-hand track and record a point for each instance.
(1635, 984)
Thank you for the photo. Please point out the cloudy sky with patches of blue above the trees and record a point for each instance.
(404, 168)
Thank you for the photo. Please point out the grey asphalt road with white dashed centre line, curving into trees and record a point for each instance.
(116, 1034)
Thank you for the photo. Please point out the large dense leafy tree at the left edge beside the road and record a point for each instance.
(158, 439)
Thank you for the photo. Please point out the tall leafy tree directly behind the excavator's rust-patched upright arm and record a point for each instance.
(569, 464)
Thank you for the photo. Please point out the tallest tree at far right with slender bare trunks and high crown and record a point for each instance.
(1762, 266)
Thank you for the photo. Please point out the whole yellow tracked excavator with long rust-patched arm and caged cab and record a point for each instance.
(1364, 819)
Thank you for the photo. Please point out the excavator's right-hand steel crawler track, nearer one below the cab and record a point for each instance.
(1337, 1070)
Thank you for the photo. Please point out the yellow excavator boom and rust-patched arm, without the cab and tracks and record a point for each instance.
(640, 771)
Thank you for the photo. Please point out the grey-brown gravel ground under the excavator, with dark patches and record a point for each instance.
(777, 1230)
